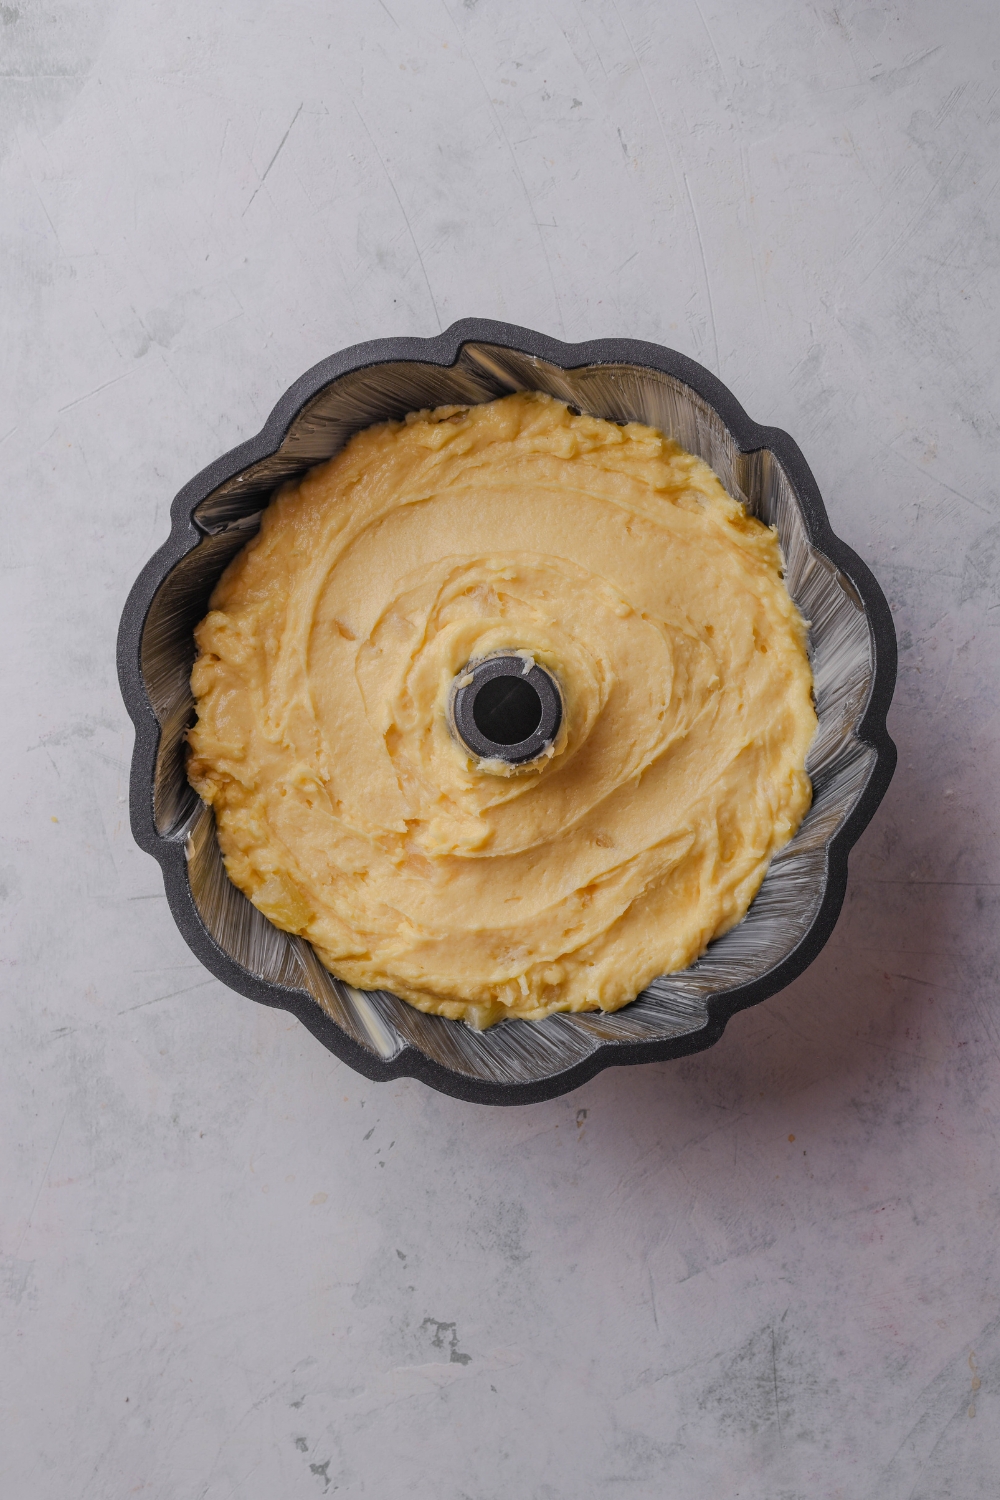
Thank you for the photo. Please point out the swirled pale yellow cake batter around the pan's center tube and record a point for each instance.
(349, 812)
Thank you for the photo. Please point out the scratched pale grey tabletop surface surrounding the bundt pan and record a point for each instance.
(229, 1267)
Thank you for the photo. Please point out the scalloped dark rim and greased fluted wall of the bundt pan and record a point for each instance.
(852, 646)
